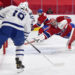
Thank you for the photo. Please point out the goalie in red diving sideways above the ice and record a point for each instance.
(61, 26)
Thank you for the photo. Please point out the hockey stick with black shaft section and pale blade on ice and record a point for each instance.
(51, 62)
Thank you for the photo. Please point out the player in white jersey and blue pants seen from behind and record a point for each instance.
(16, 24)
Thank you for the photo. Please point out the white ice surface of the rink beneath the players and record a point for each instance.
(36, 64)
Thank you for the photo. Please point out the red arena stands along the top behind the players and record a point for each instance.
(57, 6)
